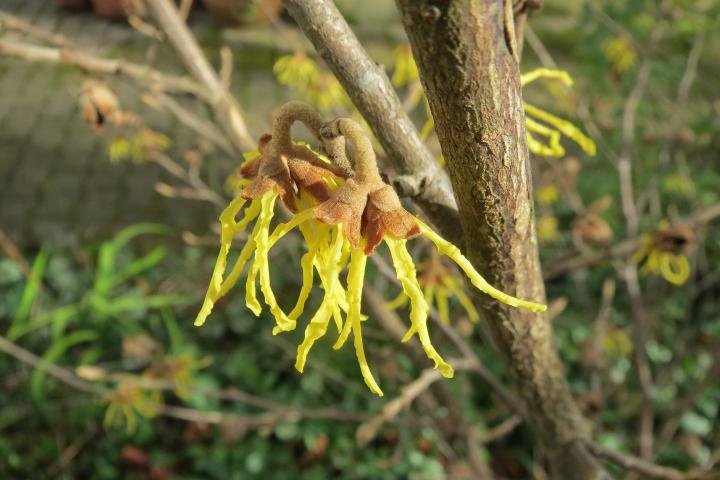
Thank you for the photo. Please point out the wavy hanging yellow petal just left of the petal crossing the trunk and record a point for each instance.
(405, 269)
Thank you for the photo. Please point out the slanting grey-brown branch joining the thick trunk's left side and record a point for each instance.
(370, 90)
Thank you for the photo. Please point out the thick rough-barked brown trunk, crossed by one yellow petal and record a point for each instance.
(465, 56)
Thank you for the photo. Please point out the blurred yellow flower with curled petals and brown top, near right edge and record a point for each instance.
(663, 252)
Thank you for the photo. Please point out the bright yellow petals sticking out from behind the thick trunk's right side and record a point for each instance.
(552, 127)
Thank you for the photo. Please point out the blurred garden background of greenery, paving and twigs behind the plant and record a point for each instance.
(109, 195)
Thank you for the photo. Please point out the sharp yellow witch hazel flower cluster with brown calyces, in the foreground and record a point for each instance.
(344, 211)
